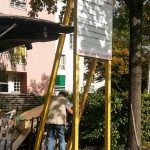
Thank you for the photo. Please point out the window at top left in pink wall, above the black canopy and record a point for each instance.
(21, 4)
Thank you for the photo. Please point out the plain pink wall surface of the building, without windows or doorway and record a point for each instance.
(39, 59)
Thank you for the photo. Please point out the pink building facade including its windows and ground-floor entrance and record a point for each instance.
(34, 76)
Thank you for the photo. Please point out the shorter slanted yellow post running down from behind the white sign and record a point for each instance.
(84, 97)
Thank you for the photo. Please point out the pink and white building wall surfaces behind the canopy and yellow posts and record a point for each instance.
(41, 57)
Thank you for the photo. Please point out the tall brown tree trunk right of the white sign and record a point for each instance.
(134, 132)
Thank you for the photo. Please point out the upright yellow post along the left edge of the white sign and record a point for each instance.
(75, 85)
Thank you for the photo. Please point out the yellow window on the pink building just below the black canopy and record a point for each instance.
(20, 54)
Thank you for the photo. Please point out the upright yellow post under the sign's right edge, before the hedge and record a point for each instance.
(108, 106)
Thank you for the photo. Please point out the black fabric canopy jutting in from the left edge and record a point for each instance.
(18, 30)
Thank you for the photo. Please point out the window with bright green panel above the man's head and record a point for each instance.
(60, 82)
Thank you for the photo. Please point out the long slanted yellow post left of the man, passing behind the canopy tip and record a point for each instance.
(53, 77)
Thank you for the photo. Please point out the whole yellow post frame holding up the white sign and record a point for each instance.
(73, 144)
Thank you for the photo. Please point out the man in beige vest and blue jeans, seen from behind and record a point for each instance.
(56, 120)
